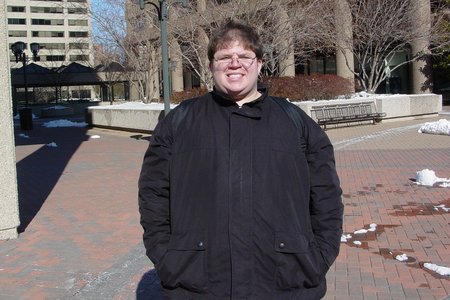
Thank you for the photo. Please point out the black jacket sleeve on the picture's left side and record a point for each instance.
(154, 192)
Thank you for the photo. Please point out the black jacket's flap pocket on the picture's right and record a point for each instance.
(299, 262)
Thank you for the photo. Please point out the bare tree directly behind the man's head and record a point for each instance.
(290, 30)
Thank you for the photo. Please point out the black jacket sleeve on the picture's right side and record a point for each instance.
(326, 208)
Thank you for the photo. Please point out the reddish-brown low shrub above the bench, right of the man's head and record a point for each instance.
(308, 87)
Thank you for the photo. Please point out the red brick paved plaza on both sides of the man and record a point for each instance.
(81, 239)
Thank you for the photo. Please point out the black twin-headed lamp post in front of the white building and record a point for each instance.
(18, 48)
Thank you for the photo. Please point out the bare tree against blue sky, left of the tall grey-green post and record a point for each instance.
(124, 30)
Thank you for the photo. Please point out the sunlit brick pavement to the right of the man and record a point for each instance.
(376, 165)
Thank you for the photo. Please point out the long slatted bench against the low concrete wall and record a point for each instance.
(346, 113)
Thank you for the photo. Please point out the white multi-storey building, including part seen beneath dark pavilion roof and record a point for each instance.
(62, 28)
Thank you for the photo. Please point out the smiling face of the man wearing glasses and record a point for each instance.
(235, 72)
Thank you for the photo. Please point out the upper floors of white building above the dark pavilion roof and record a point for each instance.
(61, 27)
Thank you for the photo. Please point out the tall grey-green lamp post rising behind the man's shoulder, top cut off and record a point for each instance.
(163, 17)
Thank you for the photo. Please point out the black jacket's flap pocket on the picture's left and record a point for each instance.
(184, 263)
